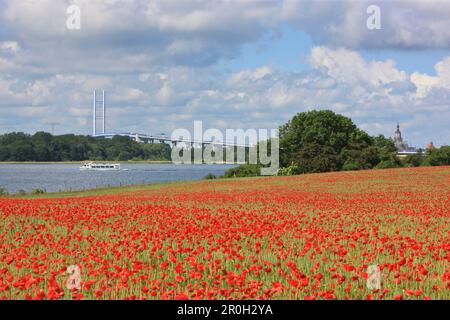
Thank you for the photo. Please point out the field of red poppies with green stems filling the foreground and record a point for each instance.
(299, 237)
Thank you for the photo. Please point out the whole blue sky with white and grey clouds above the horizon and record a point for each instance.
(233, 64)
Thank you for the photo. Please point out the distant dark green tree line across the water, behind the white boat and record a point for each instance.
(43, 146)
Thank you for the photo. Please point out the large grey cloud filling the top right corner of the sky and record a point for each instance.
(404, 24)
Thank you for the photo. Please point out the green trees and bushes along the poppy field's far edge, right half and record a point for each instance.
(323, 141)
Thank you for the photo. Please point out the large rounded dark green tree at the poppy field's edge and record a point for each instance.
(319, 141)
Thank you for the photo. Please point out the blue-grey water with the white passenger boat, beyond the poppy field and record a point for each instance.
(65, 177)
